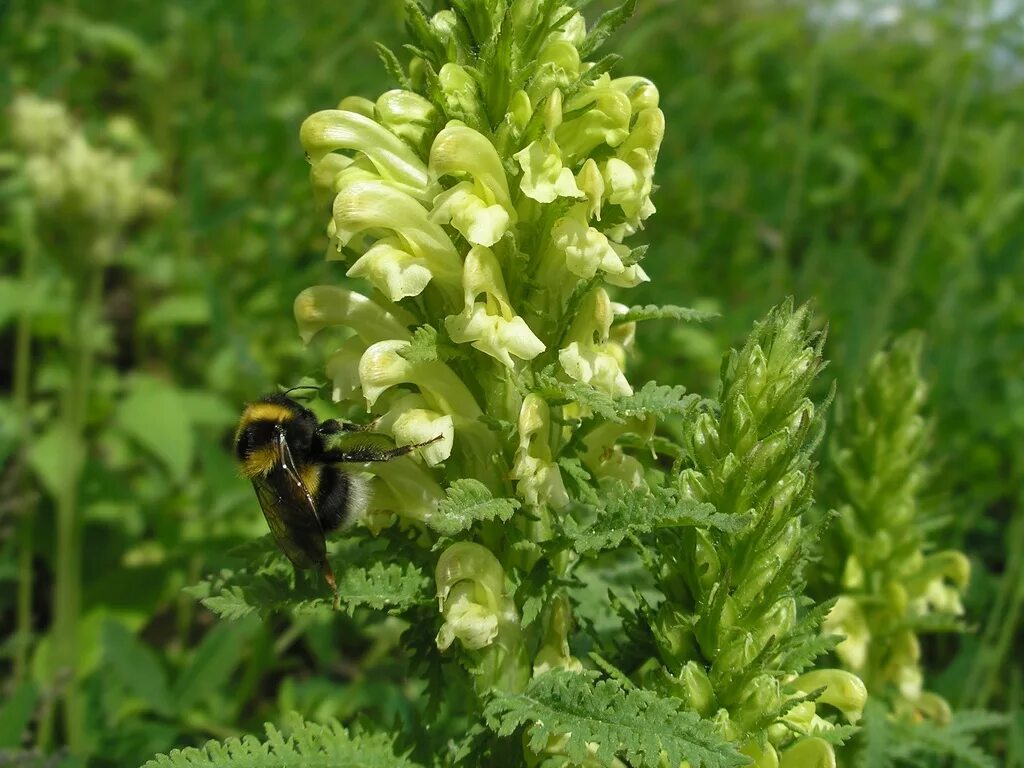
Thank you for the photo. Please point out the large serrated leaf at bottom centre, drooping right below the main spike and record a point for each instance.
(600, 719)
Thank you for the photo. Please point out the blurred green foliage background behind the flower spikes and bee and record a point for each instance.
(869, 156)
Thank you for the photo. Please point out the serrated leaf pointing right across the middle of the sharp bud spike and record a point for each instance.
(631, 511)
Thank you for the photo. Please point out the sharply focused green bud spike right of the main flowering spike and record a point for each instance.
(734, 599)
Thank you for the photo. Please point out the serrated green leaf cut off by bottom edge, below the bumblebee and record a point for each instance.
(306, 746)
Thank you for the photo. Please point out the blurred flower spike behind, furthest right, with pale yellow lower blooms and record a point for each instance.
(889, 583)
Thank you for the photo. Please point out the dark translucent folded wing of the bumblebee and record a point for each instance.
(290, 511)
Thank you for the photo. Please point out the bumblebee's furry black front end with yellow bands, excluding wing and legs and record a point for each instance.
(260, 425)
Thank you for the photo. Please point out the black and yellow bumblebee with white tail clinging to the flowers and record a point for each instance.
(292, 459)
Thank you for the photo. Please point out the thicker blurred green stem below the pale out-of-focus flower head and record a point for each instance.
(69, 554)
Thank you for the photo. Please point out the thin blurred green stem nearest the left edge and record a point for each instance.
(23, 380)
